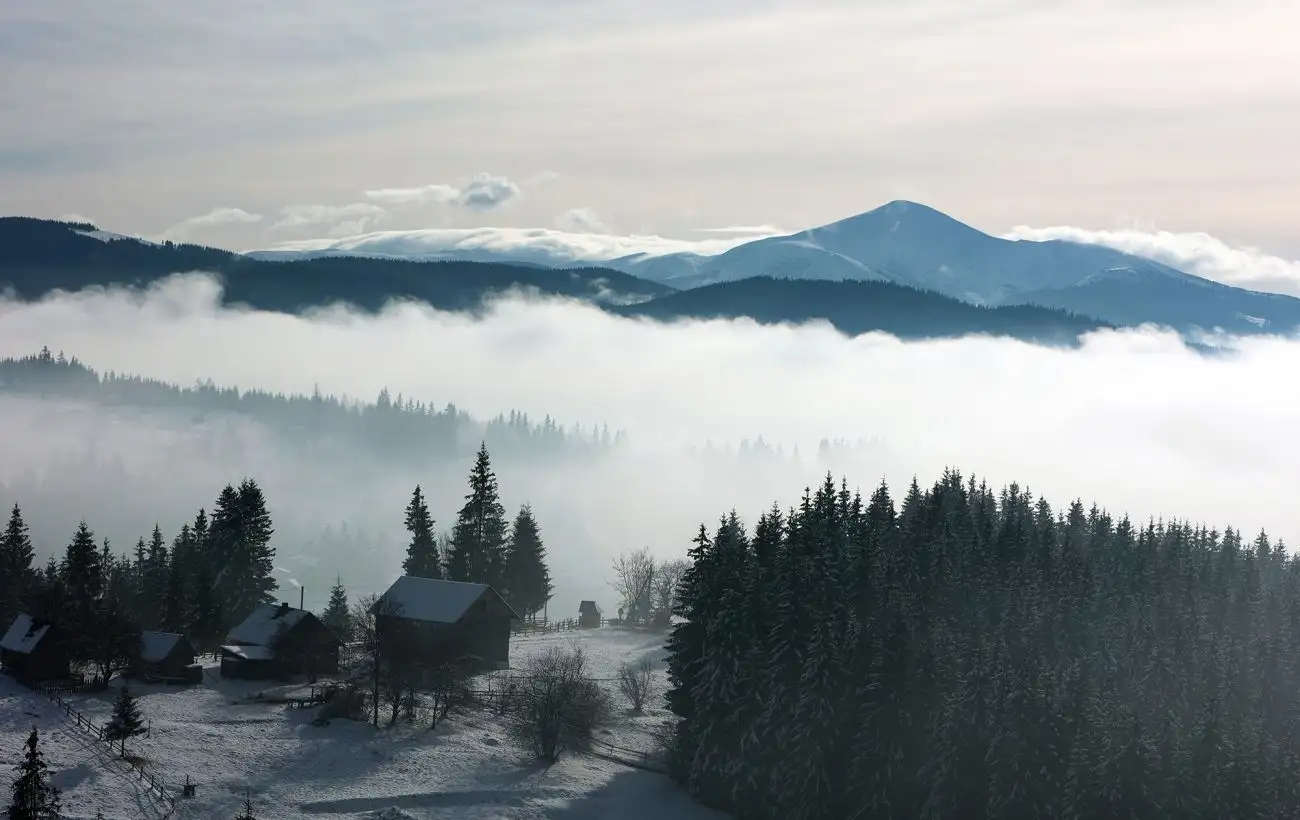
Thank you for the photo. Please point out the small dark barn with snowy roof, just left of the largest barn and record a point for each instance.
(278, 643)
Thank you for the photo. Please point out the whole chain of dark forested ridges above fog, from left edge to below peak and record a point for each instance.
(40, 257)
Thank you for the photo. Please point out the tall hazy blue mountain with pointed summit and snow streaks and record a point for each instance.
(917, 246)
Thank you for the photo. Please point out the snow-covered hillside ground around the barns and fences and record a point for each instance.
(227, 744)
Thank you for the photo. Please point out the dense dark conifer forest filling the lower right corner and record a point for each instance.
(980, 654)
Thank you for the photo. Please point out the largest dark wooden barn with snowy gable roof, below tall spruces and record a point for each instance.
(452, 621)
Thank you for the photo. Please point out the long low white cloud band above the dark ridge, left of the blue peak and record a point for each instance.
(535, 245)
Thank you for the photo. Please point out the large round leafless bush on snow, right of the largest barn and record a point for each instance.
(556, 705)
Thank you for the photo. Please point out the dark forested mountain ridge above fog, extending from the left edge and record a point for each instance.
(38, 257)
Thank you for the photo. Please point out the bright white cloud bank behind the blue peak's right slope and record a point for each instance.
(1194, 253)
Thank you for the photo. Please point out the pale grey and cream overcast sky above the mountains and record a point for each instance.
(1134, 122)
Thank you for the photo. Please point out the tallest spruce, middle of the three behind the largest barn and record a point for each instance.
(479, 539)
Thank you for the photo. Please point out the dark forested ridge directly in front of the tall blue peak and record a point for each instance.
(855, 309)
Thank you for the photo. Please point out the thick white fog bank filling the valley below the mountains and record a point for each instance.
(1155, 442)
